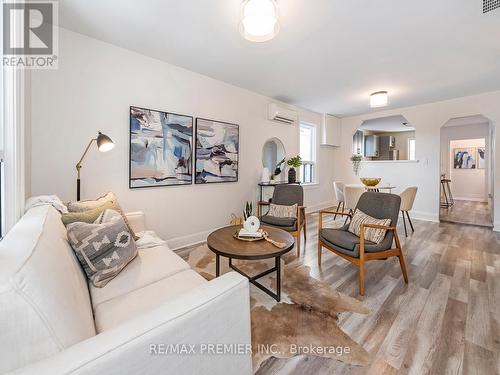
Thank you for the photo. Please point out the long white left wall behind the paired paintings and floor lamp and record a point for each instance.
(92, 90)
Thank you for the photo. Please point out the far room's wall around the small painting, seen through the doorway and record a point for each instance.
(467, 184)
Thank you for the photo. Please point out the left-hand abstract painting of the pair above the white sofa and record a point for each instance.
(161, 148)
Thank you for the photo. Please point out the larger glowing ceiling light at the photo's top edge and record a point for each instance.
(259, 20)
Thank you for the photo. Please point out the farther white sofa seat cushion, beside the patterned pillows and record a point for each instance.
(148, 267)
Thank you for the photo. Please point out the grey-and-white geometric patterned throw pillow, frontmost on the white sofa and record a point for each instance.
(103, 248)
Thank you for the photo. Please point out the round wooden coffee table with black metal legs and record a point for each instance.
(223, 243)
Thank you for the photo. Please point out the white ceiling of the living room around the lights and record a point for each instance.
(330, 54)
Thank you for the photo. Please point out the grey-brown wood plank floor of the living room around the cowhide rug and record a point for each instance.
(445, 321)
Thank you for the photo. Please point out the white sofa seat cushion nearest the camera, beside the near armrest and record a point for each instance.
(128, 306)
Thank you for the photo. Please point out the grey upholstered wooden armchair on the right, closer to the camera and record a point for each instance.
(358, 250)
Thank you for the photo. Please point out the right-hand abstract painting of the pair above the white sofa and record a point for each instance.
(217, 148)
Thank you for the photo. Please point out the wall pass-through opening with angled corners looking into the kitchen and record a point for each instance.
(385, 138)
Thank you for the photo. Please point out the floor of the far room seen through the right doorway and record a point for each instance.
(467, 212)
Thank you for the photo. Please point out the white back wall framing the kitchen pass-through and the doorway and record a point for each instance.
(427, 120)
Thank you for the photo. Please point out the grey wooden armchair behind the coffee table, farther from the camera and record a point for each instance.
(287, 195)
